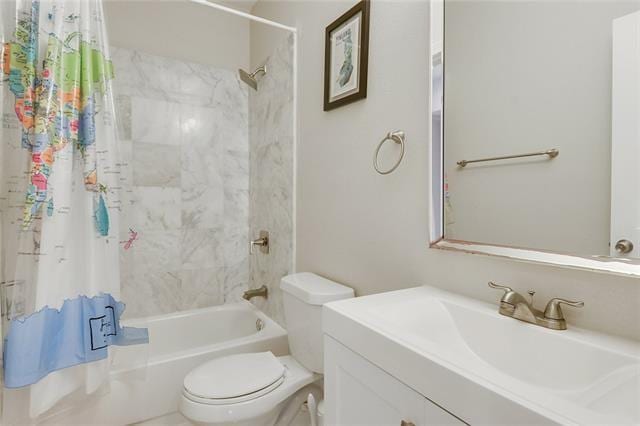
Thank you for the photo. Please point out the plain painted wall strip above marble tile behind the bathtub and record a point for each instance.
(181, 30)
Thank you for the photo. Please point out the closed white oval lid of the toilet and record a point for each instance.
(233, 376)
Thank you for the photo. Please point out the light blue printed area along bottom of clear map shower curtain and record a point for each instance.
(50, 339)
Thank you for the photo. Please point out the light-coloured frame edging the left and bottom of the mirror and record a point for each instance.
(603, 264)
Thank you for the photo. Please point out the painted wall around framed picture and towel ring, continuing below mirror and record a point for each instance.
(371, 231)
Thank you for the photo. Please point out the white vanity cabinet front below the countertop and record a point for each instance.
(359, 393)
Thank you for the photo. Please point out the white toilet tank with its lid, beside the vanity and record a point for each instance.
(304, 294)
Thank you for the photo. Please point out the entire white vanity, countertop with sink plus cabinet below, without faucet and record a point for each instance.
(425, 356)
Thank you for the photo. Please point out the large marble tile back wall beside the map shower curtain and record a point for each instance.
(185, 133)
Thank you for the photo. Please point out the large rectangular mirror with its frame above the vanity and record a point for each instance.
(535, 130)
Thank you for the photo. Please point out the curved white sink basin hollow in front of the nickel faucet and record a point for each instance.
(541, 357)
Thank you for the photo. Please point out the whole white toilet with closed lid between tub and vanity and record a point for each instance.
(258, 389)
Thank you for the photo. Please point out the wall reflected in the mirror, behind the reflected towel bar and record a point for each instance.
(545, 85)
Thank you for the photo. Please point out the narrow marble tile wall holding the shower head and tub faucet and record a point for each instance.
(271, 176)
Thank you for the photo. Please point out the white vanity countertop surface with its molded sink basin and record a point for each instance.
(565, 376)
